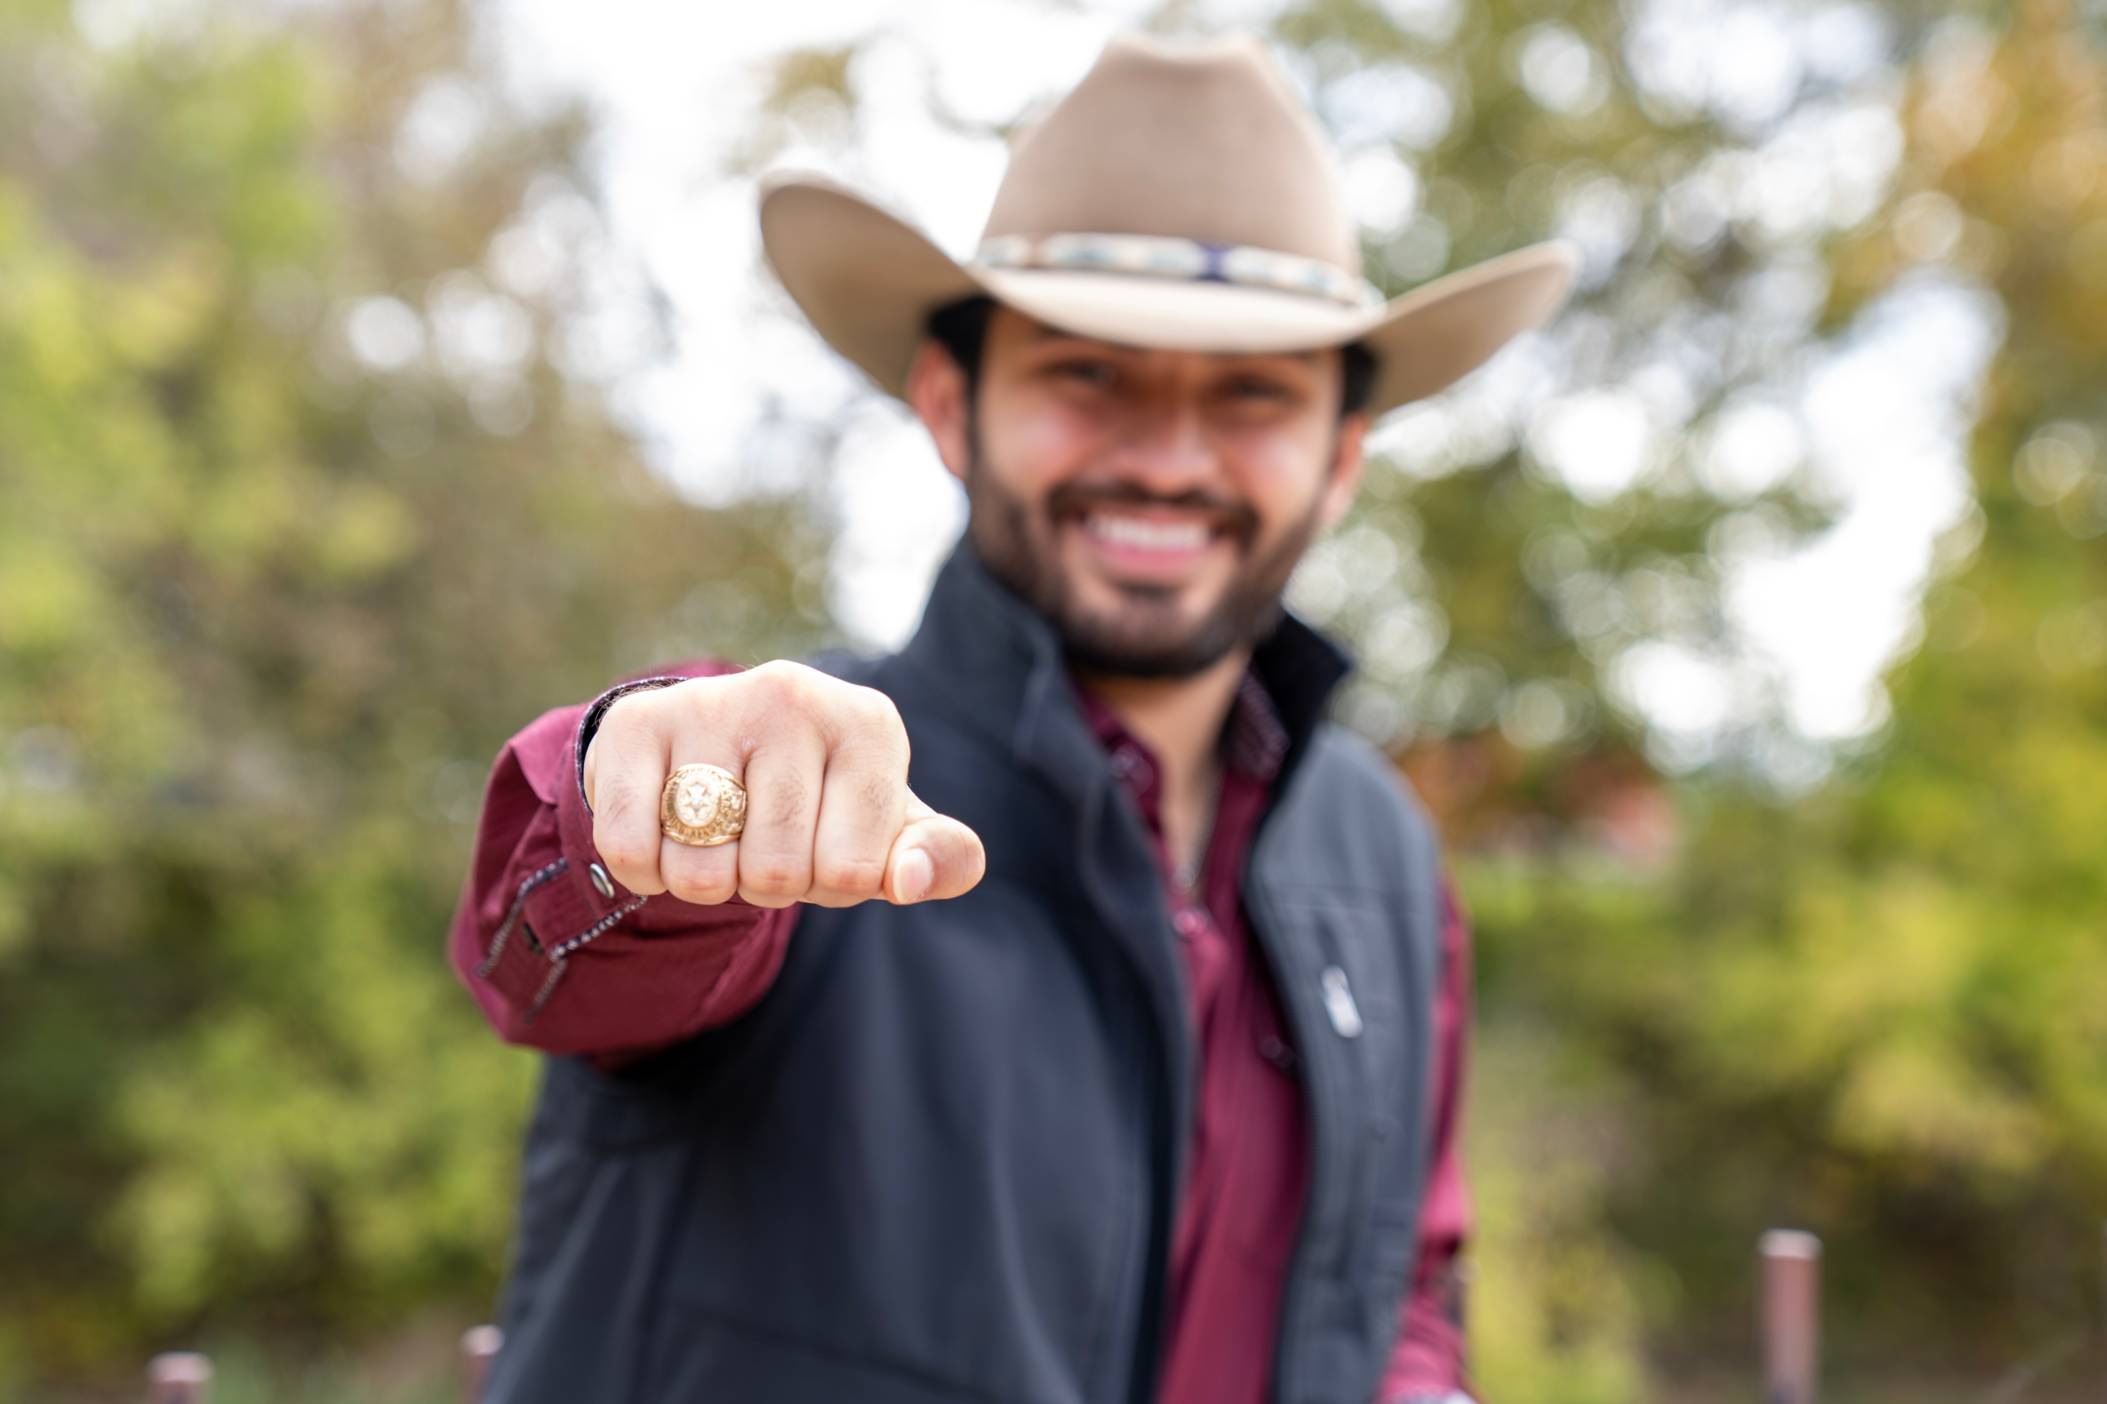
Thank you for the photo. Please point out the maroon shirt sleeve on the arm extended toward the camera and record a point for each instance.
(568, 960)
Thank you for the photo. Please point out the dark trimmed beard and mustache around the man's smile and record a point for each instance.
(1147, 636)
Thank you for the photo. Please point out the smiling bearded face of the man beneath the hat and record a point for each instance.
(1149, 503)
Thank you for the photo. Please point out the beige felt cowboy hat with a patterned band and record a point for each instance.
(1181, 197)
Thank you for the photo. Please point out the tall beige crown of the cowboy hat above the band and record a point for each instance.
(1202, 142)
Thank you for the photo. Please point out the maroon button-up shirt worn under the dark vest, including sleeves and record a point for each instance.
(566, 960)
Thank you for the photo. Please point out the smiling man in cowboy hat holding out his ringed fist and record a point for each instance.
(1061, 1009)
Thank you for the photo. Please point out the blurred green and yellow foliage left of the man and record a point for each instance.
(313, 494)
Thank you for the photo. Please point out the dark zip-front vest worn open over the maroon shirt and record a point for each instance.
(941, 1158)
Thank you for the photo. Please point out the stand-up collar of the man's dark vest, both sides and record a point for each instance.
(1000, 659)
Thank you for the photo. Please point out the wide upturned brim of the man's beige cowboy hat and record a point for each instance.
(869, 281)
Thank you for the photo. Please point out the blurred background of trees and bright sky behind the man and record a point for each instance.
(380, 374)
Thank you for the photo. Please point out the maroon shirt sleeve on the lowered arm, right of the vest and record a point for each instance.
(1427, 1363)
